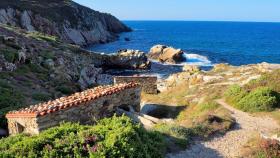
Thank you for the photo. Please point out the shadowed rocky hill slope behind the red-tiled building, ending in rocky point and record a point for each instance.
(35, 67)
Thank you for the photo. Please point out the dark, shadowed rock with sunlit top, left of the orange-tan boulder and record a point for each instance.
(129, 59)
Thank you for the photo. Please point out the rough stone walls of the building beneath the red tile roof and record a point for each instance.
(84, 113)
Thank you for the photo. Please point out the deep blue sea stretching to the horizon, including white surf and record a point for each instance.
(204, 43)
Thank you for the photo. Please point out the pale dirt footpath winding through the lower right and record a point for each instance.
(229, 145)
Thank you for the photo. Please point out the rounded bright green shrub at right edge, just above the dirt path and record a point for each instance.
(260, 99)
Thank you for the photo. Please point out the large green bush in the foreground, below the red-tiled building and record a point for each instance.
(111, 137)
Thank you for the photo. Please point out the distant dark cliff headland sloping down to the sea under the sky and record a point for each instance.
(66, 19)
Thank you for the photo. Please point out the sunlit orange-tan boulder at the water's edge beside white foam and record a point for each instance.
(166, 54)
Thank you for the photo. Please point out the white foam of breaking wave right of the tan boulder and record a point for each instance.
(196, 59)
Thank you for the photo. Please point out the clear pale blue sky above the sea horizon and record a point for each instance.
(209, 10)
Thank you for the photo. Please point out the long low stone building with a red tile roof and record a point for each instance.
(84, 107)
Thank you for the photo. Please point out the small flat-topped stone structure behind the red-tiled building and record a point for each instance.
(148, 83)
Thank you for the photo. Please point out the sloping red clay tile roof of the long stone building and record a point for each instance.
(69, 101)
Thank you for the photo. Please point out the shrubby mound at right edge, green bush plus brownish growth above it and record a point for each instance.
(258, 95)
